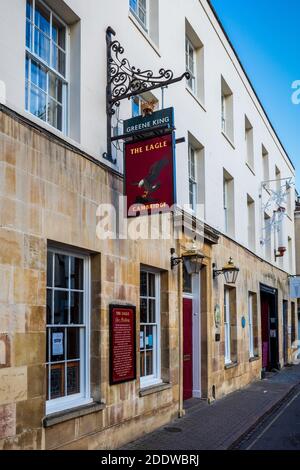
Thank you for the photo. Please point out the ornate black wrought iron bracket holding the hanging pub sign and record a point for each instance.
(125, 81)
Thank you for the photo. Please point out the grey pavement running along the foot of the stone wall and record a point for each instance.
(223, 423)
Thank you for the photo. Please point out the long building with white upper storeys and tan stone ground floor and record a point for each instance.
(196, 335)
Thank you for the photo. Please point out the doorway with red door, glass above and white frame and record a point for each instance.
(191, 337)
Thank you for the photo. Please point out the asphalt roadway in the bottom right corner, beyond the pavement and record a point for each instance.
(280, 431)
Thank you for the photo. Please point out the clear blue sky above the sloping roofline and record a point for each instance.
(266, 36)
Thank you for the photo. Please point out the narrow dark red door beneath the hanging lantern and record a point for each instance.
(187, 349)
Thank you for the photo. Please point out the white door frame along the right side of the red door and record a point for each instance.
(196, 333)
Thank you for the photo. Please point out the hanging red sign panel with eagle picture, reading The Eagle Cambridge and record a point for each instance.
(149, 180)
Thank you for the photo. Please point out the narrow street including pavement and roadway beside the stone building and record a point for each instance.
(264, 415)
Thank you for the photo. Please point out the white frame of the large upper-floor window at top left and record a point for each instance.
(32, 55)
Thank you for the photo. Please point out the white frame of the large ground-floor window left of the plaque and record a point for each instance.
(83, 397)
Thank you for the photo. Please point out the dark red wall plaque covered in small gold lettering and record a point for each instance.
(122, 343)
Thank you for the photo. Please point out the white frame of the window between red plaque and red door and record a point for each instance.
(155, 378)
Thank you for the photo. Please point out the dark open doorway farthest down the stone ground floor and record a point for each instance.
(269, 328)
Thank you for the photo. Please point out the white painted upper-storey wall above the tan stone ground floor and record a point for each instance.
(203, 121)
